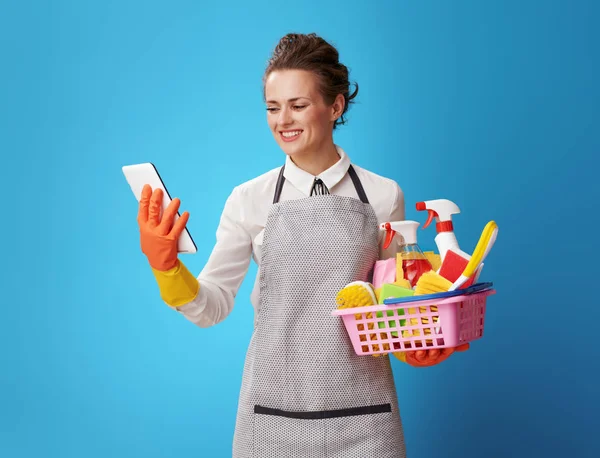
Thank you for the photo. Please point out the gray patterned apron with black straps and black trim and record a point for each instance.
(305, 393)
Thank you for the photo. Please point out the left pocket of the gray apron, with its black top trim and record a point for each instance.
(280, 434)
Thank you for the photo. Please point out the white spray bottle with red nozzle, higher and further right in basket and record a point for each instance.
(442, 210)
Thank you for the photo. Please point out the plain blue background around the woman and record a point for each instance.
(492, 104)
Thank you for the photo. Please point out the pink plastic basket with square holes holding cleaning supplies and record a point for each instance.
(427, 324)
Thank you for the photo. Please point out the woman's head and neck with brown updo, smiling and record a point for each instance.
(306, 89)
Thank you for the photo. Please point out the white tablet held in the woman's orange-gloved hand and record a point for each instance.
(137, 176)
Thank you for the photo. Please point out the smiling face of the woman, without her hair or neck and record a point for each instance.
(298, 116)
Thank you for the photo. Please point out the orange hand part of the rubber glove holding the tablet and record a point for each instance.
(159, 235)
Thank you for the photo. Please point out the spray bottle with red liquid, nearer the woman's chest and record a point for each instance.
(414, 262)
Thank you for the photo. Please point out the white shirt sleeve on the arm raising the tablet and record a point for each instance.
(225, 270)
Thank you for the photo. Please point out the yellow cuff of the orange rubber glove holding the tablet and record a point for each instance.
(177, 286)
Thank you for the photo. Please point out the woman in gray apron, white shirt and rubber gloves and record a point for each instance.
(312, 227)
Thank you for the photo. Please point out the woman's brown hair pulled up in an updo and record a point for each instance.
(312, 53)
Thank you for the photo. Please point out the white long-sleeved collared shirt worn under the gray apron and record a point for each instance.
(239, 235)
